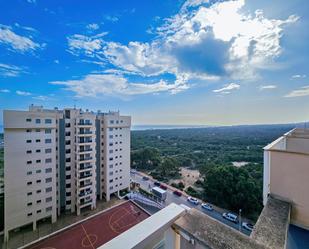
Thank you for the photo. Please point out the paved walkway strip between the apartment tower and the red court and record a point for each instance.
(26, 235)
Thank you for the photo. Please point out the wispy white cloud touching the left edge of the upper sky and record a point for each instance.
(17, 42)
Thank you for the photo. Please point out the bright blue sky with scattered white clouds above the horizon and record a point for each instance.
(193, 62)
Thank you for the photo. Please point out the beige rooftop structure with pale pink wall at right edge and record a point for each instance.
(286, 173)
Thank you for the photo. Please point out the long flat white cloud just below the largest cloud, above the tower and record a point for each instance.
(108, 84)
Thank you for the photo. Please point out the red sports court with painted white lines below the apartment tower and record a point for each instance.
(96, 231)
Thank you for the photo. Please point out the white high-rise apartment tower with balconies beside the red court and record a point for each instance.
(61, 161)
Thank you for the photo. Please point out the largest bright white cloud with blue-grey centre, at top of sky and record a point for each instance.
(203, 41)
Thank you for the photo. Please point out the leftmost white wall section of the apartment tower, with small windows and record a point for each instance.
(19, 171)
